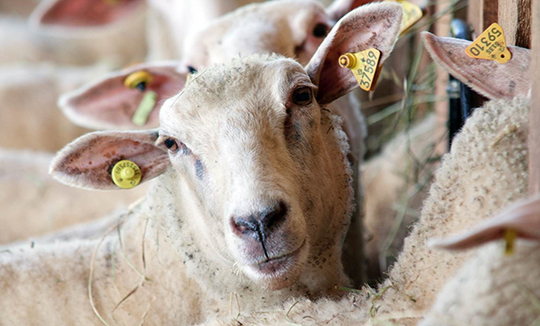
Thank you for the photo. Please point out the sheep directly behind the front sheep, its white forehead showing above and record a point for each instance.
(96, 105)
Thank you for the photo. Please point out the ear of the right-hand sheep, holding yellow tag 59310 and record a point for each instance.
(489, 78)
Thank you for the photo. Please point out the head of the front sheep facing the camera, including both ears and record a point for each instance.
(251, 143)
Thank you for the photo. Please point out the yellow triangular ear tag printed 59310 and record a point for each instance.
(490, 45)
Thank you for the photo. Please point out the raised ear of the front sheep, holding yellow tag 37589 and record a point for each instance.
(373, 26)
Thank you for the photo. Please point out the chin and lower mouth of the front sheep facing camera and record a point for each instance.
(279, 273)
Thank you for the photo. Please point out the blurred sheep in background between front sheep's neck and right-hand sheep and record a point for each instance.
(400, 175)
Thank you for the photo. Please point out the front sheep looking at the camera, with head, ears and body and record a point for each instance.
(261, 189)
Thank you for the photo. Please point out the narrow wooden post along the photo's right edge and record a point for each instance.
(534, 110)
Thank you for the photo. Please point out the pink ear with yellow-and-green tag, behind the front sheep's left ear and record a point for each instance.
(110, 104)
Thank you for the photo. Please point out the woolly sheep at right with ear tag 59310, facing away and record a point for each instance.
(485, 171)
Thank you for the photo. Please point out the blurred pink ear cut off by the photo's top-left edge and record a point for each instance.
(87, 13)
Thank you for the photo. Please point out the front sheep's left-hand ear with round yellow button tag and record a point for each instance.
(87, 162)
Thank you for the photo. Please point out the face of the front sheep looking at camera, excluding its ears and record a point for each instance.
(249, 140)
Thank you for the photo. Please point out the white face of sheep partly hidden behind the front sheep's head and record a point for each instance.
(291, 28)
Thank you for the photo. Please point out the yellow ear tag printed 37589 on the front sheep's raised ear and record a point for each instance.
(364, 66)
